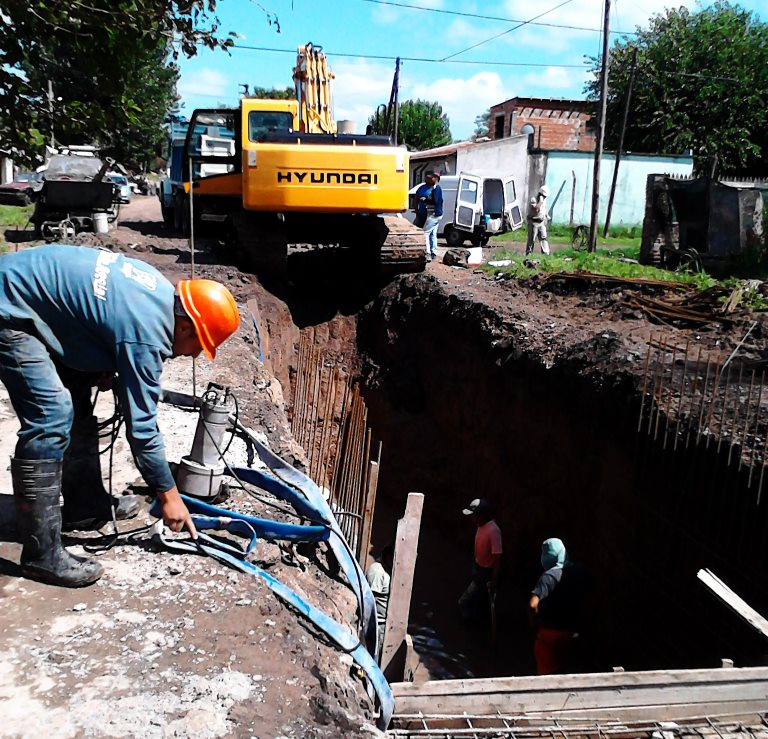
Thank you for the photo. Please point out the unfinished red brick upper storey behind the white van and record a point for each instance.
(554, 122)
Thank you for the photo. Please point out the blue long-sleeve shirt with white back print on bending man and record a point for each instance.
(97, 311)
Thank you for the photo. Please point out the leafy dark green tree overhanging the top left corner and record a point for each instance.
(112, 68)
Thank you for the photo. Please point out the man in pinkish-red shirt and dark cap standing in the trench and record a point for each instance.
(474, 602)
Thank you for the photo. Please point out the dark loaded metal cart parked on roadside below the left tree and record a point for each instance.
(75, 196)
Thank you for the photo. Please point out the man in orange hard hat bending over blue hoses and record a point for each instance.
(70, 318)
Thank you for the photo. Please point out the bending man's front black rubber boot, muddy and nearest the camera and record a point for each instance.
(36, 489)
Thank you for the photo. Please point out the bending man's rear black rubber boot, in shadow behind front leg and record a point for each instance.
(87, 505)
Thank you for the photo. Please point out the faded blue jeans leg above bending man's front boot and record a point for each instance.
(38, 395)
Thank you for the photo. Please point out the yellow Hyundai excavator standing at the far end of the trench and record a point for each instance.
(277, 173)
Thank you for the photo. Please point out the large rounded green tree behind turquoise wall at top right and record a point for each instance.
(701, 84)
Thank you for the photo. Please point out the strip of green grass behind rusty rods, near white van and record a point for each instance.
(603, 261)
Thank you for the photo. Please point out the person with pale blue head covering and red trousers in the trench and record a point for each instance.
(556, 608)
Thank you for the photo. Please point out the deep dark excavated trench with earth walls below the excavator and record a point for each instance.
(471, 401)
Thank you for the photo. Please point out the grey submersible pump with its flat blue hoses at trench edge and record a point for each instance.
(202, 474)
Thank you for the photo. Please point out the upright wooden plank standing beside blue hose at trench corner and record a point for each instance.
(401, 584)
